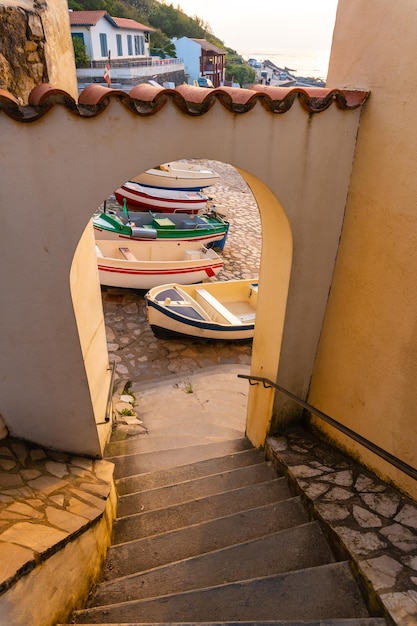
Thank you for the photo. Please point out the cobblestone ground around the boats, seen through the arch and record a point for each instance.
(138, 355)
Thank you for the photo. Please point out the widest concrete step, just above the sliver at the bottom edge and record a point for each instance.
(325, 592)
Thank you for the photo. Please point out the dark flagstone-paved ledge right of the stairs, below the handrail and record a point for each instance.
(368, 520)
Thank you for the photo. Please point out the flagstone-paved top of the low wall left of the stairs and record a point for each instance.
(46, 498)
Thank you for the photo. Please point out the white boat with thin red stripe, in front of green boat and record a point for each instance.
(185, 264)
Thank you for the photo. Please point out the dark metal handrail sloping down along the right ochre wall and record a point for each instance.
(387, 456)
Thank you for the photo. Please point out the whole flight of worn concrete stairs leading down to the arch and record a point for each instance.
(209, 533)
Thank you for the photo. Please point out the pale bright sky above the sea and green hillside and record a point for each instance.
(245, 25)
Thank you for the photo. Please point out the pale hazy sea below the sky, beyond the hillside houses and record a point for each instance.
(302, 62)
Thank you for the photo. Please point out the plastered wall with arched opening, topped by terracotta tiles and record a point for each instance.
(67, 159)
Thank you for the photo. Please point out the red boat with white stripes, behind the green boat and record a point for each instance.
(163, 200)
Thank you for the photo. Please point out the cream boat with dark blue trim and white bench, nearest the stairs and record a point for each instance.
(185, 317)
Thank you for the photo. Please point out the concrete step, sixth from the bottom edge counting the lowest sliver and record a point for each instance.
(194, 489)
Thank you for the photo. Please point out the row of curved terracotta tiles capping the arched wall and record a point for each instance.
(146, 99)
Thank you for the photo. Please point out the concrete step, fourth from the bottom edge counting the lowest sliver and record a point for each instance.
(150, 552)
